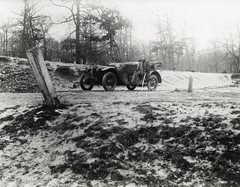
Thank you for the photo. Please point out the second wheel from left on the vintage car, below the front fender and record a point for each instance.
(109, 81)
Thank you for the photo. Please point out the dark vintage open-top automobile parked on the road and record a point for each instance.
(131, 74)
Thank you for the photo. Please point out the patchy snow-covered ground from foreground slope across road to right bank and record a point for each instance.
(125, 138)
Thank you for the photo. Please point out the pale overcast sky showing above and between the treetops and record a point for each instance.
(206, 19)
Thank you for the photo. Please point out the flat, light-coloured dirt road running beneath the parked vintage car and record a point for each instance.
(226, 94)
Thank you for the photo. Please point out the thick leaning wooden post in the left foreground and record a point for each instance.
(42, 76)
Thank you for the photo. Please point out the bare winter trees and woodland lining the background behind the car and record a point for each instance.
(100, 35)
